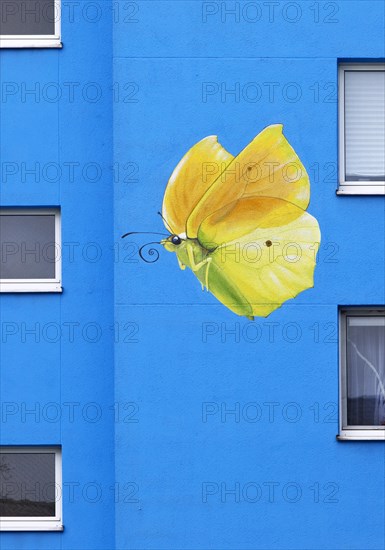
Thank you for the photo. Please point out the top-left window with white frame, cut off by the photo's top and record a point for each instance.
(30, 24)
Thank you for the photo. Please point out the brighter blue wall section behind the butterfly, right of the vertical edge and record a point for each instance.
(233, 441)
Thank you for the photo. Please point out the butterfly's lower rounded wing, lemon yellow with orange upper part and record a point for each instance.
(263, 253)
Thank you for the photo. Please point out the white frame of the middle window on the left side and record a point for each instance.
(36, 285)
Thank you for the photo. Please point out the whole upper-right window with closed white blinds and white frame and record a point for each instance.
(362, 129)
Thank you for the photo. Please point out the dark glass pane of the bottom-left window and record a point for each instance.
(27, 484)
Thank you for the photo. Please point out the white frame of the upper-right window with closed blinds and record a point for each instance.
(351, 187)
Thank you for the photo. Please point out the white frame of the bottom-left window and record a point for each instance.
(38, 523)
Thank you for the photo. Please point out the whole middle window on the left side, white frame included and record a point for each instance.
(30, 251)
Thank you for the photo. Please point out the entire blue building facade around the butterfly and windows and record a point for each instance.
(181, 425)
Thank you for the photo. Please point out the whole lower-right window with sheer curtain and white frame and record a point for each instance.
(362, 373)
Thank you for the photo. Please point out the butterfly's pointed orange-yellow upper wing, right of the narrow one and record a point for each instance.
(267, 167)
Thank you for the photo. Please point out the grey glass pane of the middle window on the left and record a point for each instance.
(27, 246)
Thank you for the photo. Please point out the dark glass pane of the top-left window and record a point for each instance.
(28, 17)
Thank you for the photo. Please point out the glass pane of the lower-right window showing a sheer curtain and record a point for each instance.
(365, 356)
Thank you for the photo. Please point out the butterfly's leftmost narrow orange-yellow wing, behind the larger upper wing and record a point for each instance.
(194, 174)
